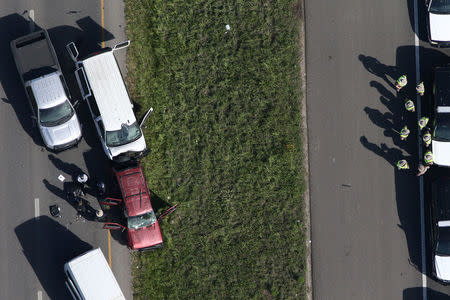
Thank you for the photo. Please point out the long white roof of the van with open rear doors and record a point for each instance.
(109, 90)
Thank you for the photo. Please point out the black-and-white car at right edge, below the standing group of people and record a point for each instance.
(439, 233)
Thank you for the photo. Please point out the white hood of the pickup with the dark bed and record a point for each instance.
(61, 134)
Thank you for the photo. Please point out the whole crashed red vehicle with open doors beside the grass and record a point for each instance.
(142, 226)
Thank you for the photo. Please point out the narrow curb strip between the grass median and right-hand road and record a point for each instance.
(305, 149)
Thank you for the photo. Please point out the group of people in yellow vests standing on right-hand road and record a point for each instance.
(403, 164)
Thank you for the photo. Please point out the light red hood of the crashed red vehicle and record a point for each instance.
(145, 237)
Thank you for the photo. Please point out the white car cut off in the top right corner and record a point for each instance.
(438, 15)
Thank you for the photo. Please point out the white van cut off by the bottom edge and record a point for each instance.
(89, 277)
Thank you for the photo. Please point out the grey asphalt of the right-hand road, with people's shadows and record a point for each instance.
(366, 222)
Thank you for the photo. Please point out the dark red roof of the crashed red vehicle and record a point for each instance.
(135, 193)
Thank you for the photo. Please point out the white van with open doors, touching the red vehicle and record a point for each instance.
(101, 85)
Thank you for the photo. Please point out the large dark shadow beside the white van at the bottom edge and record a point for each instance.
(48, 245)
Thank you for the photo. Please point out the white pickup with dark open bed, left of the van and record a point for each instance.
(46, 90)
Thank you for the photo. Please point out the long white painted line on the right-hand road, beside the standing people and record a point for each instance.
(422, 201)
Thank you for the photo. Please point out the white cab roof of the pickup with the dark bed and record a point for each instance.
(48, 90)
